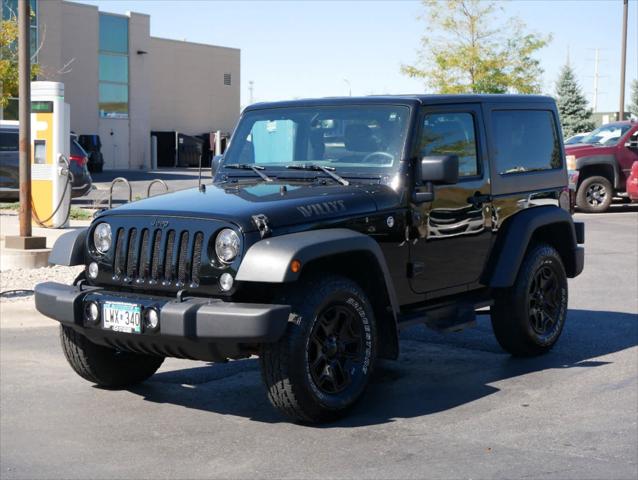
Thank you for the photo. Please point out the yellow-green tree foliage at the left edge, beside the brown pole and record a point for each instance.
(9, 60)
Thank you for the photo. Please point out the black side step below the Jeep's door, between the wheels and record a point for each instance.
(450, 317)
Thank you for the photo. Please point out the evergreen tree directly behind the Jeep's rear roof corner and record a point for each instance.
(575, 117)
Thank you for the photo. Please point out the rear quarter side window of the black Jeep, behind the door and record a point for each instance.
(525, 141)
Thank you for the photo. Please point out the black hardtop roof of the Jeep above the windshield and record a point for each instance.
(412, 99)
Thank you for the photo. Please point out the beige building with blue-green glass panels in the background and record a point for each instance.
(122, 83)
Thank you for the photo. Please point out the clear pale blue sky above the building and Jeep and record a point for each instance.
(300, 49)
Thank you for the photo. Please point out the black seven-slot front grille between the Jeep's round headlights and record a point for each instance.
(156, 256)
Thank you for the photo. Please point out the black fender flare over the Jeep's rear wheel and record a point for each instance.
(514, 237)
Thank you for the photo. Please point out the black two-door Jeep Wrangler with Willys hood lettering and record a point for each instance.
(329, 226)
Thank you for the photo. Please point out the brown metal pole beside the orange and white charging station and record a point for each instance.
(24, 114)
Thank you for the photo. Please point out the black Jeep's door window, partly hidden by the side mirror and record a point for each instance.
(451, 134)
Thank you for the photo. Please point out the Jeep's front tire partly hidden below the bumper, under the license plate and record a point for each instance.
(104, 366)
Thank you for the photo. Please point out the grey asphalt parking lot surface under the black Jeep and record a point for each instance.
(453, 406)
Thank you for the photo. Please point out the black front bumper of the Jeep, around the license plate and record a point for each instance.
(197, 328)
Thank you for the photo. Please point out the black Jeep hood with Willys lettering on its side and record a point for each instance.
(284, 204)
